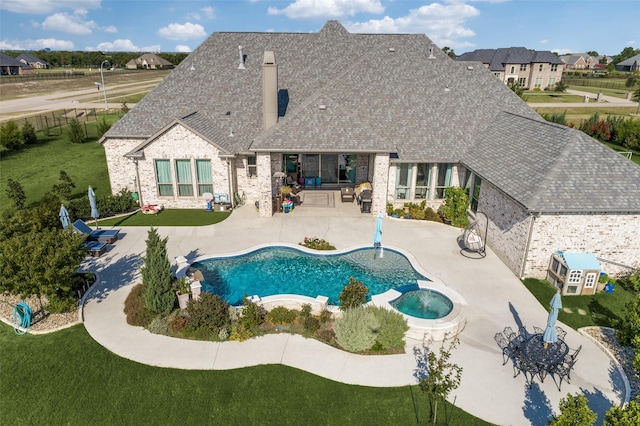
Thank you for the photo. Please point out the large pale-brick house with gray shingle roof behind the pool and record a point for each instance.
(390, 109)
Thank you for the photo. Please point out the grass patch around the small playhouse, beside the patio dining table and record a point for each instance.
(601, 309)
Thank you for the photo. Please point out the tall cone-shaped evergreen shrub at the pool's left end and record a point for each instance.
(156, 275)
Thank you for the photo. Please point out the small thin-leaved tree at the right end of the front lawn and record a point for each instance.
(443, 376)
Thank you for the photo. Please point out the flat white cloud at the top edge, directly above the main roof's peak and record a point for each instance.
(327, 8)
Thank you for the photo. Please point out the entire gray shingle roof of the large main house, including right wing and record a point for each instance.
(378, 100)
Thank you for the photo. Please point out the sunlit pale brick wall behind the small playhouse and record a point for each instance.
(613, 237)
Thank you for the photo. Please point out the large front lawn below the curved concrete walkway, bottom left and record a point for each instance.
(67, 378)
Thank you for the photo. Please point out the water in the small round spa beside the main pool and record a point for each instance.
(423, 303)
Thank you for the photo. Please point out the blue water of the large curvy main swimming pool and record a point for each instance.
(285, 270)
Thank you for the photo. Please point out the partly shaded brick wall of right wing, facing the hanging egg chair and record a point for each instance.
(508, 226)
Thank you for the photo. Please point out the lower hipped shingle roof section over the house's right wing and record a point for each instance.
(548, 167)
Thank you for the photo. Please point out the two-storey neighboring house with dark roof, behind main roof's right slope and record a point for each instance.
(529, 68)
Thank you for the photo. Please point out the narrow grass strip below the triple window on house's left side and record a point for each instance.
(168, 217)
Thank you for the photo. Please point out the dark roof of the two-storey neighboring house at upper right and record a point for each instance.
(498, 58)
